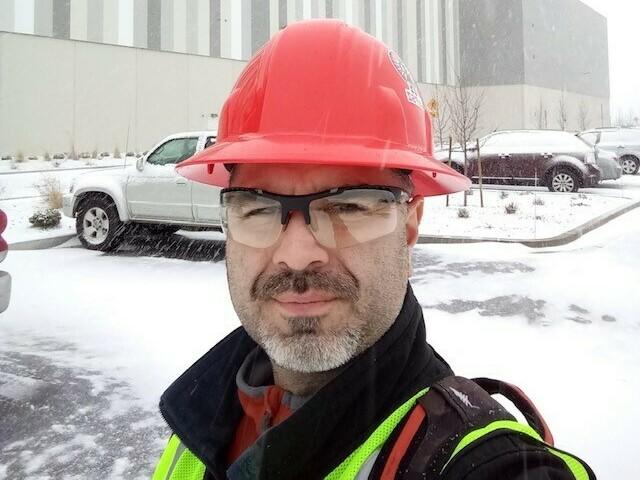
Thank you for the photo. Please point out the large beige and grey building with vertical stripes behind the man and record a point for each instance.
(85, 75)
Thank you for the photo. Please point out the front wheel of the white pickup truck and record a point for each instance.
(98, 224)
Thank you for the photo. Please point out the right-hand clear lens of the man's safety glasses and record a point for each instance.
(353, 216)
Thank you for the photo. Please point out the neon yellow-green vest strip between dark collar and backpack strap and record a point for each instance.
(351, 466)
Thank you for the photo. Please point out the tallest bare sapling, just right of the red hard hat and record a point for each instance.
(464, 105)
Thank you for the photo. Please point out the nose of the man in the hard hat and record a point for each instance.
(297, 248)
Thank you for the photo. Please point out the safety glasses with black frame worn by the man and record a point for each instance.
(337, 218)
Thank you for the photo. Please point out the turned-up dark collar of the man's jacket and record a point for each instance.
(202, 406)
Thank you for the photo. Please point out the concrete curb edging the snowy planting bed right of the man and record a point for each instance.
(556, 241)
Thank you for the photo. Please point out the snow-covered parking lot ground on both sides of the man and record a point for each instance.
(91, 340)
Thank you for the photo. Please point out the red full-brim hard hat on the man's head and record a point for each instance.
(323, 92)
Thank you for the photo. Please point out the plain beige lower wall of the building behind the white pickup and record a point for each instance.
(59, 95)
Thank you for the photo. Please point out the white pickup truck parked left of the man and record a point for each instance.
(109, 205)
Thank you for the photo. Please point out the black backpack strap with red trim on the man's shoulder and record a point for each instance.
(445, 415)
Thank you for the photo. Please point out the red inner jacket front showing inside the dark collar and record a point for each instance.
(259, 413)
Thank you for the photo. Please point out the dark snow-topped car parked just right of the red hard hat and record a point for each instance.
(555, 159)
